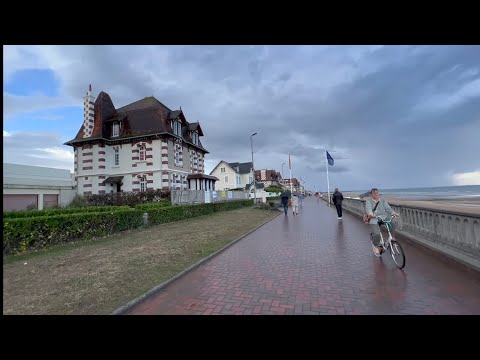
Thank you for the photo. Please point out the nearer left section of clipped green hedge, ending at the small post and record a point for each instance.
(22, 234)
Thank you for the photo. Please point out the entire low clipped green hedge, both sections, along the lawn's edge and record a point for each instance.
(28, 233)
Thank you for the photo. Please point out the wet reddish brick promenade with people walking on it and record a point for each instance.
(315, 264)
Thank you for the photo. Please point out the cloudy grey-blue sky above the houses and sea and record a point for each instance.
(390, 116)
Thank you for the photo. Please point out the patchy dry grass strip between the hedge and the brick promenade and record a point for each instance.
(100, 275)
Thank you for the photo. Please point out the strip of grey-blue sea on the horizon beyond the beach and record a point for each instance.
(465, 192)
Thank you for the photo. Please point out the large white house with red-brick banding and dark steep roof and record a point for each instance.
(139, 147)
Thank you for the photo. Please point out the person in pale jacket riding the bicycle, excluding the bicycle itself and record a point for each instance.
(376, 206)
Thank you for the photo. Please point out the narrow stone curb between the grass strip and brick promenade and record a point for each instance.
(128, 306)
